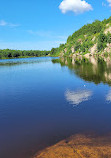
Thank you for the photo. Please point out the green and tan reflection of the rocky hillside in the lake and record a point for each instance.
(90, 69)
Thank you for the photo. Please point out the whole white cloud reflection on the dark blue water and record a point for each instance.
(77, 97)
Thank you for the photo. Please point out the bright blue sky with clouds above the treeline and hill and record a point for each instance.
(43, 24)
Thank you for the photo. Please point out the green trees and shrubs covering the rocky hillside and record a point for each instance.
(87, 36)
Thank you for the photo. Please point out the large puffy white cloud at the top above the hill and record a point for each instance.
(76, 6)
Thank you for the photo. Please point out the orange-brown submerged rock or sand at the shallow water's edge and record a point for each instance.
(79, 146)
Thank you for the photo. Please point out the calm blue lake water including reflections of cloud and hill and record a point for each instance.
(43, 101)
